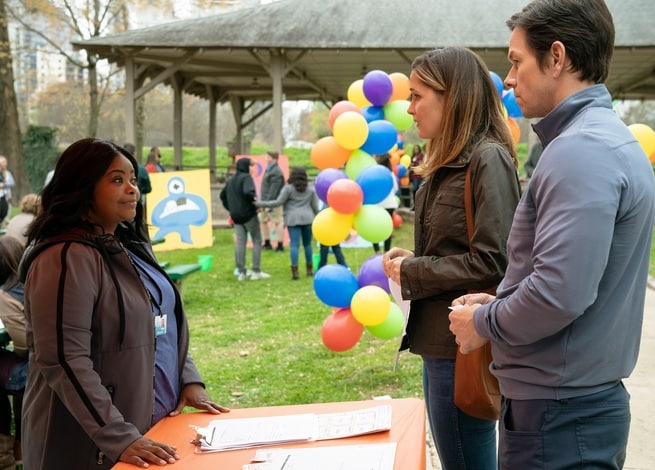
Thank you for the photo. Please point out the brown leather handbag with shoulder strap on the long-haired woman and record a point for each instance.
(476, 390)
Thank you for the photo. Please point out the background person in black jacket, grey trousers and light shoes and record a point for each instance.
(238, 197)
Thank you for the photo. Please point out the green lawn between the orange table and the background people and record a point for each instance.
(258, 343)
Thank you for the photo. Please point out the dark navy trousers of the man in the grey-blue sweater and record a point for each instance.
(583, 432)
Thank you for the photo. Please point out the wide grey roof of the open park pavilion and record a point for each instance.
(327, 44)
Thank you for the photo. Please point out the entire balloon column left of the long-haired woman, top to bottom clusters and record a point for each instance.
(351, 183)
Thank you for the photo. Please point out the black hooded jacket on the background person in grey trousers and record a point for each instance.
(238, 195)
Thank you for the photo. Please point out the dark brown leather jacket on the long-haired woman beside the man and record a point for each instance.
(443, 268)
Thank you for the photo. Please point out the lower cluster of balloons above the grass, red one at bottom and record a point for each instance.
(358, 303)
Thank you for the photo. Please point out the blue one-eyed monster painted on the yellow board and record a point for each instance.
(178, 211)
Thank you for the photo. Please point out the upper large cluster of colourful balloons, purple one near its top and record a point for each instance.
(351, 182)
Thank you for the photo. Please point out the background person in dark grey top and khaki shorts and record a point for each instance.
(272, 184)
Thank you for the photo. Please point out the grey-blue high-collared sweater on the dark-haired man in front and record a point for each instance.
(567, 320)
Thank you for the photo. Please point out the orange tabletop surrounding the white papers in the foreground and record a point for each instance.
(407, 430)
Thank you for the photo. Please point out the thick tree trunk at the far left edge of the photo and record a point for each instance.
(10, 139)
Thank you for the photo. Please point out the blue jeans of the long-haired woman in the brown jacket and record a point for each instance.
(462, 441)
